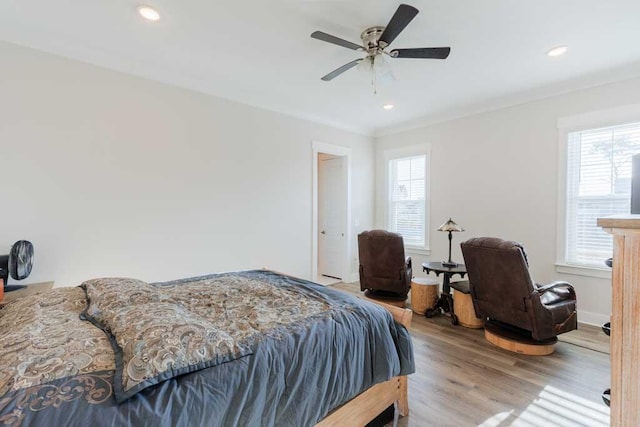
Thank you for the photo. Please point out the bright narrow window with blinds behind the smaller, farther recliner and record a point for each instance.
(407, 198)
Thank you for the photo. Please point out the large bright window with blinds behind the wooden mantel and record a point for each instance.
(598, 184)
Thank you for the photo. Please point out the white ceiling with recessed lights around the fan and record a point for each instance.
(260, 52)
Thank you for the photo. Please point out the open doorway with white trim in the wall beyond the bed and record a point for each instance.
(331, 213)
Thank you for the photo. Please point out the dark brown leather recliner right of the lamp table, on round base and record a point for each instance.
(502, 290)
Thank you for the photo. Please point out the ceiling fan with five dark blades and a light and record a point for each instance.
(376, 39)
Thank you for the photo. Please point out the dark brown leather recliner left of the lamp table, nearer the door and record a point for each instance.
(384, 270)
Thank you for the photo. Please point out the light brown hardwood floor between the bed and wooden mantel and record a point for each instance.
(463, 380)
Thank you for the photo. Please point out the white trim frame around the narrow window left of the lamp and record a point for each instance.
(400, 153)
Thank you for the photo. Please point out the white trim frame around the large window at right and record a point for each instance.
(566, 125)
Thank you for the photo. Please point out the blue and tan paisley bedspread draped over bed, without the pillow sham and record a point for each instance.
(295, 375)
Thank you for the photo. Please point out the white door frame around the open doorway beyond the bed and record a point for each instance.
(340, 151)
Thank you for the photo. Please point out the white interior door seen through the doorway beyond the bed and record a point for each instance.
(332, 214)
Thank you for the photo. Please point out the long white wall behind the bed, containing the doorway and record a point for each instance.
(109, 174)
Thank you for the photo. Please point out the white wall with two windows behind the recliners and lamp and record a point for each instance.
(496, 175)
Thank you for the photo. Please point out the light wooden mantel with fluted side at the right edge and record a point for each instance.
(625, 319)
